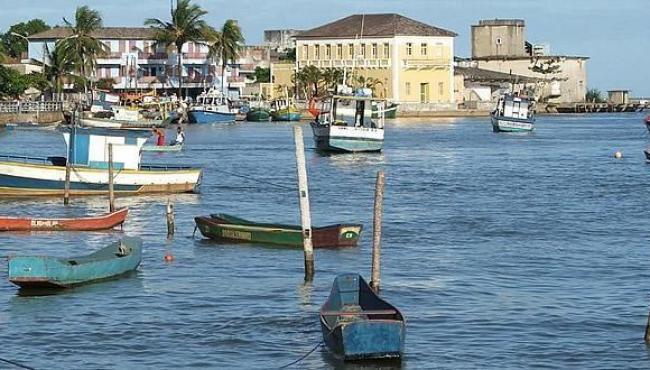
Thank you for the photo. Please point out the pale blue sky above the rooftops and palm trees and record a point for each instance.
(614, 34)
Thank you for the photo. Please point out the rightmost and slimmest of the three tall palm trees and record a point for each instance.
(227, 45)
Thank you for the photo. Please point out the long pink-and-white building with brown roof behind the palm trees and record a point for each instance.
(134, 62)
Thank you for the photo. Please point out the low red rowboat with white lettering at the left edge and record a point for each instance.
(103, 222)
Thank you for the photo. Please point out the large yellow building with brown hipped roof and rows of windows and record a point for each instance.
(412, 61)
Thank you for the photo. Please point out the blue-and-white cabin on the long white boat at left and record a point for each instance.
(89, 147)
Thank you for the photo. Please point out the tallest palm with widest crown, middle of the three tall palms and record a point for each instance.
(187, 25)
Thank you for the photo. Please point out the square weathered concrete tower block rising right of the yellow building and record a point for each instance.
(498, 38)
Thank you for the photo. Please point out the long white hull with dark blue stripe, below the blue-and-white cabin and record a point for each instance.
(26, 179)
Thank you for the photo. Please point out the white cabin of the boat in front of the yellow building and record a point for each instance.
(355, 111)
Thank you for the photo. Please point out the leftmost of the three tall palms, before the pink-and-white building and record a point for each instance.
(82, 46)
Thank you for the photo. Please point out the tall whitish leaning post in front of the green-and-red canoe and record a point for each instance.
(303, 193)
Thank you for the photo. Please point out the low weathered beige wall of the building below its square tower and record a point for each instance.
(572, 78)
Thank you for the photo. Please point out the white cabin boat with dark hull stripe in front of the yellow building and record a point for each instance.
(345, 124)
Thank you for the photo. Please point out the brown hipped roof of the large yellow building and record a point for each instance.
(375, 25)
